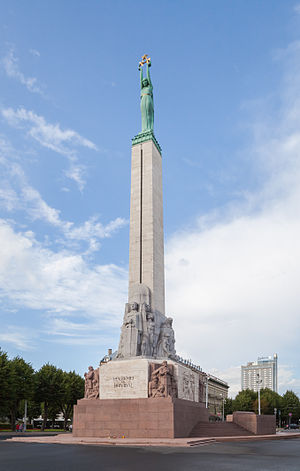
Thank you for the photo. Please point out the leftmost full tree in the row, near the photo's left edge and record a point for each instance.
(21, 386)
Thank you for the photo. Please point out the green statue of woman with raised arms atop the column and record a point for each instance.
(147, 107)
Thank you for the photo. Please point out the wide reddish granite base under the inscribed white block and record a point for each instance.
(137, 418)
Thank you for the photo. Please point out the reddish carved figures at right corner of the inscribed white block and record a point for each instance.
(162, 381)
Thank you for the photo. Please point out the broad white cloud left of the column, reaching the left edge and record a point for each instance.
(60, 283)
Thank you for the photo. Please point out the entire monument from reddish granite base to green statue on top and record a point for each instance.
(144, 391)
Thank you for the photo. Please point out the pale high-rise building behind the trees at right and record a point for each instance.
(260, 374)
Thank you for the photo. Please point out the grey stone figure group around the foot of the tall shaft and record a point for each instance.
(144, 332)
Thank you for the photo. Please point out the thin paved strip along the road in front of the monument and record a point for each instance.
(68, 439)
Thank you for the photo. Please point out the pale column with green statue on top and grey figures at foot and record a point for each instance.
(146, 331)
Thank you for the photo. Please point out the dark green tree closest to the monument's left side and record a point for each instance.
(73, 390)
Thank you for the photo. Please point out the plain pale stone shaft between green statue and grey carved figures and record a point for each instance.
(146, 247)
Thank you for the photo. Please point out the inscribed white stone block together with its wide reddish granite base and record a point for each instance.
(141, 397)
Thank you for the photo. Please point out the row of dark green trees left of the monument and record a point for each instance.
(48, 392)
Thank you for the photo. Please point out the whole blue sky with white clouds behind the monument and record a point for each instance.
(226, 81)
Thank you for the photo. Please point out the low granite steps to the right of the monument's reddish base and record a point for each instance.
(218, 429)
